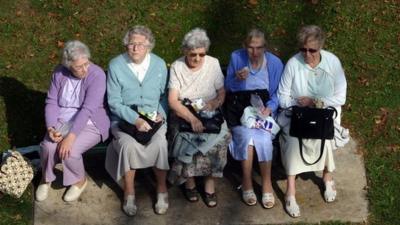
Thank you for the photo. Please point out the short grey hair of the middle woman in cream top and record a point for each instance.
(196, 38)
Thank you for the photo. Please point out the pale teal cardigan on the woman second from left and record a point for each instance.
(124, 89)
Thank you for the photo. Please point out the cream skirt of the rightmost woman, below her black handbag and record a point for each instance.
(290, 151)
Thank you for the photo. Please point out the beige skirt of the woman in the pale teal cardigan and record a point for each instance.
(124, 153)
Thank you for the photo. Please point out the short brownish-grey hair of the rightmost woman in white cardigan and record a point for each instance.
(311, 33)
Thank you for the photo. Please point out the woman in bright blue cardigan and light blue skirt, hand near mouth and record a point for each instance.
(252, 70)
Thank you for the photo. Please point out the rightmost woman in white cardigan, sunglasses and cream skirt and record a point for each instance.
(311, 76)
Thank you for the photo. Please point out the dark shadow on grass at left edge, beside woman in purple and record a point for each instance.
(24, 112)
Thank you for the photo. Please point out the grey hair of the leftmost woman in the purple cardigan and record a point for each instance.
(74, 50)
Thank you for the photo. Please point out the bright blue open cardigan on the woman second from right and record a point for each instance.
(239, 59)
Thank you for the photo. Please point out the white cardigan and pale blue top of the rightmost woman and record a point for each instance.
(326, 81)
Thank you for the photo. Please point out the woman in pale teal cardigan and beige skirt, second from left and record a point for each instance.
(137, 77)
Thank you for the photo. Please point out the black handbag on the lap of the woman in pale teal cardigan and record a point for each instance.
(140, 136)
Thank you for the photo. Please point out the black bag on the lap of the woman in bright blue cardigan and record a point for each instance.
(236, 102)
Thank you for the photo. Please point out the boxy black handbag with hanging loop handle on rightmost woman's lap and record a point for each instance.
(312, 123)
